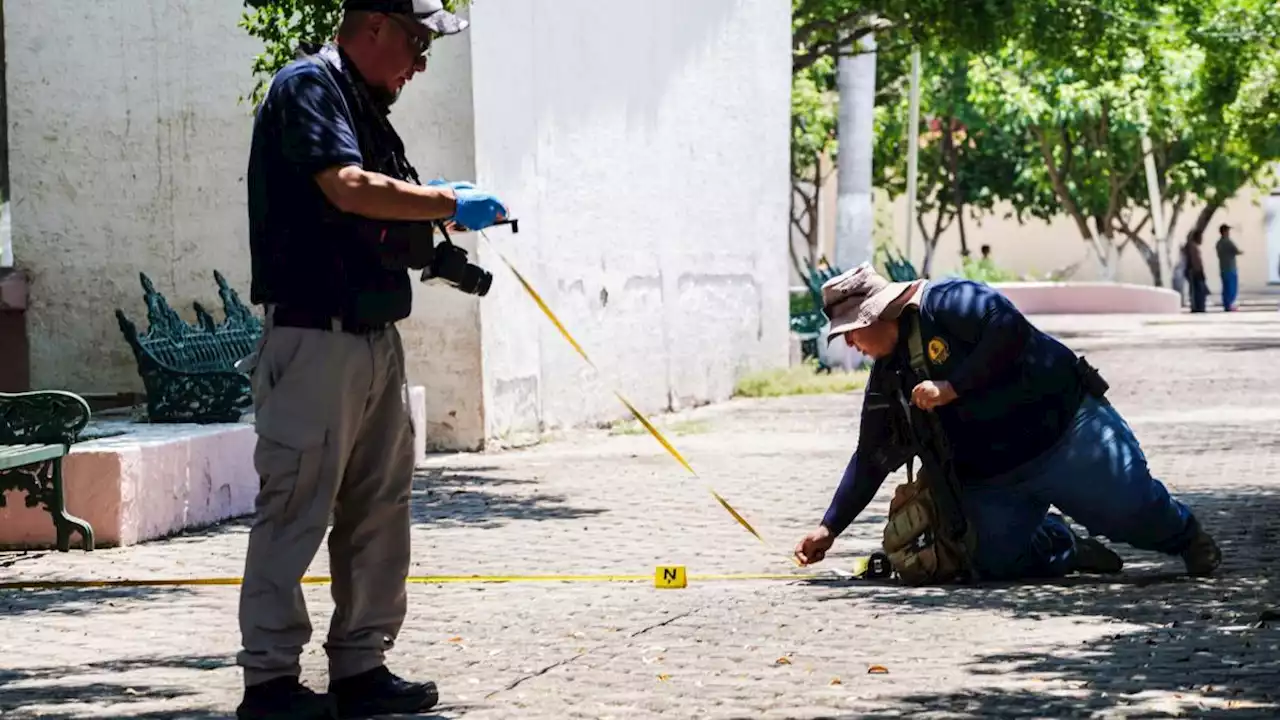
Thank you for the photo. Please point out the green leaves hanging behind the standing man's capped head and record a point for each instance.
(285, 25)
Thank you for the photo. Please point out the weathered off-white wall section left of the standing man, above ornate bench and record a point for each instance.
(127, 153)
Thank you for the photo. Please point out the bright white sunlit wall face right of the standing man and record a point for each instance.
(644, 148)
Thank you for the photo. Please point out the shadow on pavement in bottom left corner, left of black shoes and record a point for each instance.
(65, 691)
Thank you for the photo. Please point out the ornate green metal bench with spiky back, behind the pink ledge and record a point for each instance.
(190, 371)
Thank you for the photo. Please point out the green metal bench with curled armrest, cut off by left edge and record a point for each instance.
(38, 431)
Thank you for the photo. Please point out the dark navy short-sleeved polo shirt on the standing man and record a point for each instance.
(305, 253)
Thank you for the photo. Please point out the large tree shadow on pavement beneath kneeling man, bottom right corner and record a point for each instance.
(1203, 641)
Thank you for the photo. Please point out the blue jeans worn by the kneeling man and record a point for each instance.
(1099, 477)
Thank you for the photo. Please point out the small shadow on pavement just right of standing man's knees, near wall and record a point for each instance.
(474, 498)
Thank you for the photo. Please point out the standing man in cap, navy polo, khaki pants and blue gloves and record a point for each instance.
(327, 177)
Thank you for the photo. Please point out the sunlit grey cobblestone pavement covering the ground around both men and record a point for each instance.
(1201, 394)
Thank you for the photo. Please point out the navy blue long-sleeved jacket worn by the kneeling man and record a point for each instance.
(1018, 391)
